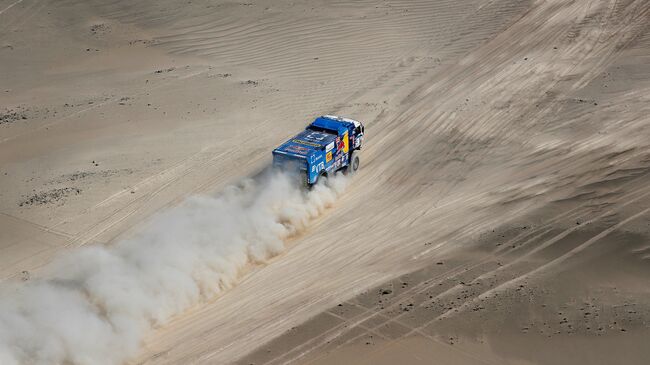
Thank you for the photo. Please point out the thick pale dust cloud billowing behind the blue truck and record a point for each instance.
(94, 304)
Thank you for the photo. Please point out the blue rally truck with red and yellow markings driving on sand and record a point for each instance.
(329, 144)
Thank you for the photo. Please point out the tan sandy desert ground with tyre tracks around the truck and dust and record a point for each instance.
(494, 128)
